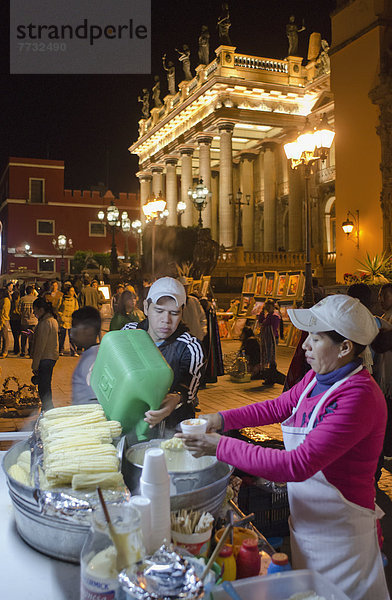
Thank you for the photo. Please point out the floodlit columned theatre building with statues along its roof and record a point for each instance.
(228, 126)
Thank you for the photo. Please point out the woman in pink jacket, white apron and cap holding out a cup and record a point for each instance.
(333, 424)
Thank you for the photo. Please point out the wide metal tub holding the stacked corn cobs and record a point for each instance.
(54, 536)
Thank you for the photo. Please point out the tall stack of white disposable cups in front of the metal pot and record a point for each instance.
(155, 485)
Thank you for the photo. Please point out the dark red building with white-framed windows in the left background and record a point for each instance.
(35, 208)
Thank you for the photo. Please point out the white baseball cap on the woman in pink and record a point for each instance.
(339, 313)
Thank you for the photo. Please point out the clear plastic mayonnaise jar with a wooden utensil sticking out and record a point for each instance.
(98, 560)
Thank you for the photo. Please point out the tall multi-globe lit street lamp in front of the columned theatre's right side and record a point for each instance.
(311, 145)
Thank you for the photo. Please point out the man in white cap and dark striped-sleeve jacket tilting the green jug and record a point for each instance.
(183, 352)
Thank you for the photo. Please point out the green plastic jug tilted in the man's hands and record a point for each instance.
(130, 376)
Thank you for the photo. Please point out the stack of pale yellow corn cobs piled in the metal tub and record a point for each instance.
(78, 449)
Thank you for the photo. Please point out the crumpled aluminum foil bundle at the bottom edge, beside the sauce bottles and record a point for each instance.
(164, 576)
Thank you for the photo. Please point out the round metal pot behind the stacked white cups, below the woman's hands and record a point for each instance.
(202, 487)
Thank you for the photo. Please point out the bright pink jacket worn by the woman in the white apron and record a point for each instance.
(345, 442)
